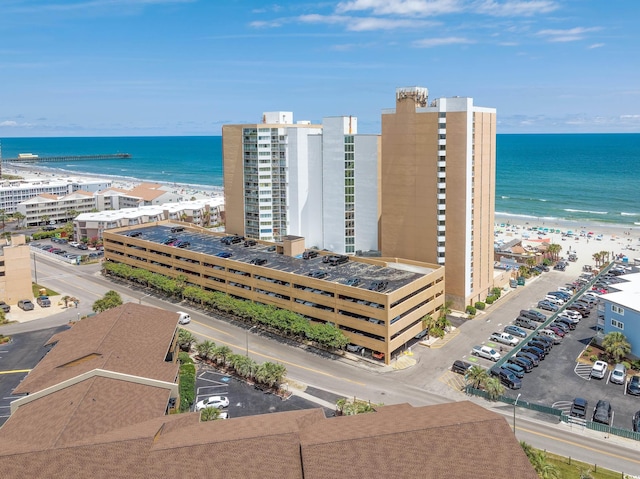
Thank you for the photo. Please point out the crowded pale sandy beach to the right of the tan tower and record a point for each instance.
(620, 240)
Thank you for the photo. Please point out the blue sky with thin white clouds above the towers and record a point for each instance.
(186, 67)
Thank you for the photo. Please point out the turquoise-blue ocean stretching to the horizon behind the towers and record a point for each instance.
(577, 177)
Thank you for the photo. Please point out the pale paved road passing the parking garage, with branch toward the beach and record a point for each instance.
(423, 384)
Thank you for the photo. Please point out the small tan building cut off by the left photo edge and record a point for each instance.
(15, 270)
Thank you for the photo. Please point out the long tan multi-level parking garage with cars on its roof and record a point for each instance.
(378, 303)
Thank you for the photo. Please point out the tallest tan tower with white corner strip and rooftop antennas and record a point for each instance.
(438, 188)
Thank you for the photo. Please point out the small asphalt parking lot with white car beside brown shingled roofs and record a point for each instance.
(245, 399)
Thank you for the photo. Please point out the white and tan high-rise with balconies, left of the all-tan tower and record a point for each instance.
(319, 182)
